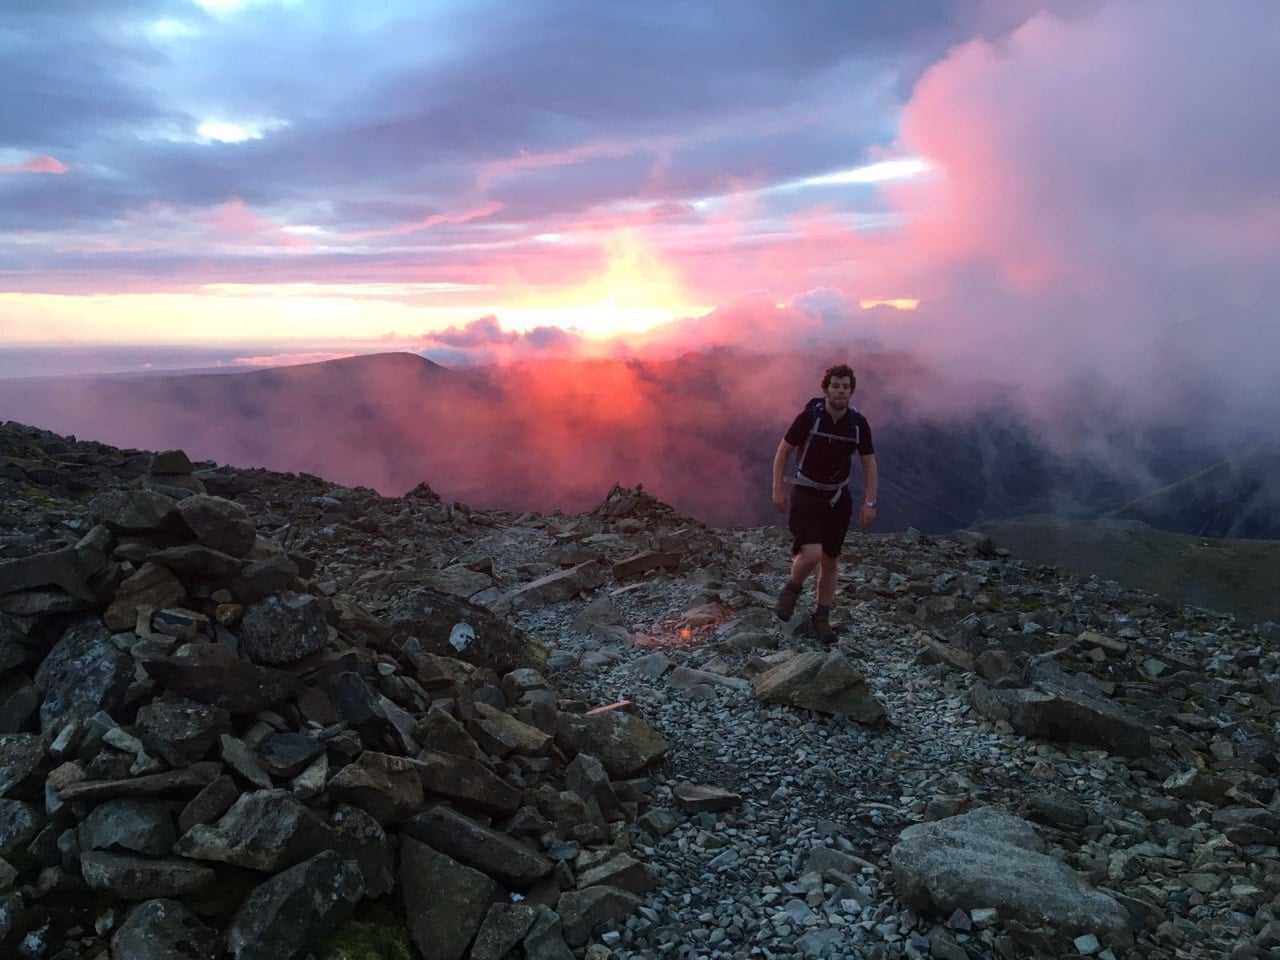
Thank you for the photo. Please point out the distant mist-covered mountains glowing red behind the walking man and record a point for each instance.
(700, 432)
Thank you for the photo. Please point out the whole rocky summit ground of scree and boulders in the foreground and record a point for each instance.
(253, 715)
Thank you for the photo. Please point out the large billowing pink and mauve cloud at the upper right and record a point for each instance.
(1107, 195)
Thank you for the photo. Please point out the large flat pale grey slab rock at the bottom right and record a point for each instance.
(989, 858)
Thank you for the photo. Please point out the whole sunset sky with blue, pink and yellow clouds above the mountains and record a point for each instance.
(1069, 196)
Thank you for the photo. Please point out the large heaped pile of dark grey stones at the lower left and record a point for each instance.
(204, 757)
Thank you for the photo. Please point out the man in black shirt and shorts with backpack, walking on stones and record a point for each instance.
(830, 432)
